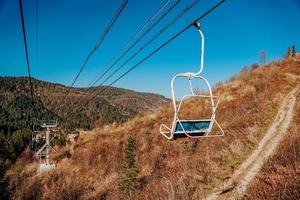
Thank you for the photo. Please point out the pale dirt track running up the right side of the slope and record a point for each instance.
(236, 186)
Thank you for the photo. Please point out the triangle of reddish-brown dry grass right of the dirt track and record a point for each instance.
(280, 175)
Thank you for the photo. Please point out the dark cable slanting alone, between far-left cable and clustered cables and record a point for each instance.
(100, 40)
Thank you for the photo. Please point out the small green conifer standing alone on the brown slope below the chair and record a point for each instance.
(128, 182)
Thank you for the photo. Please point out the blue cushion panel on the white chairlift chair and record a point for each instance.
(192, 126)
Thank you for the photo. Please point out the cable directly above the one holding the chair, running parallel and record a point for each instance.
(177, 17)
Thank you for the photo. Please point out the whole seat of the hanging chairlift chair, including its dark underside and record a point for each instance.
(191, 127)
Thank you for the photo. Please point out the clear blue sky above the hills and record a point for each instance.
(68, 29)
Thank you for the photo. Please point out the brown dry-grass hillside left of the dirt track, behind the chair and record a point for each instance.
(133, 155)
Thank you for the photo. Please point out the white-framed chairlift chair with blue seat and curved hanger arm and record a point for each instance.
(192, 128)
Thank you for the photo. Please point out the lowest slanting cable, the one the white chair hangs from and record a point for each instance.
(160, 47)
